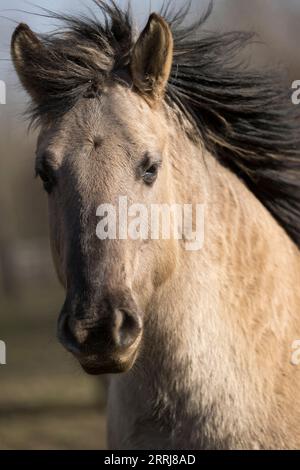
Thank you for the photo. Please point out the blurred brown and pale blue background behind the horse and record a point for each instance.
(46, 401)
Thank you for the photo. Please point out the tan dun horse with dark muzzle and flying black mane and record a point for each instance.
(196, 344)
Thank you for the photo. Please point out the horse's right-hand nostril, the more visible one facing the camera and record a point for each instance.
(126, 329)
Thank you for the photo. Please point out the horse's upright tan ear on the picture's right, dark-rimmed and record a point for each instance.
(152, 58)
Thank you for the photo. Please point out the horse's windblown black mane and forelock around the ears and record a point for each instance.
(245, 118)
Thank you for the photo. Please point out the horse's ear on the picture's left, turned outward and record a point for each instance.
(26, 51)
